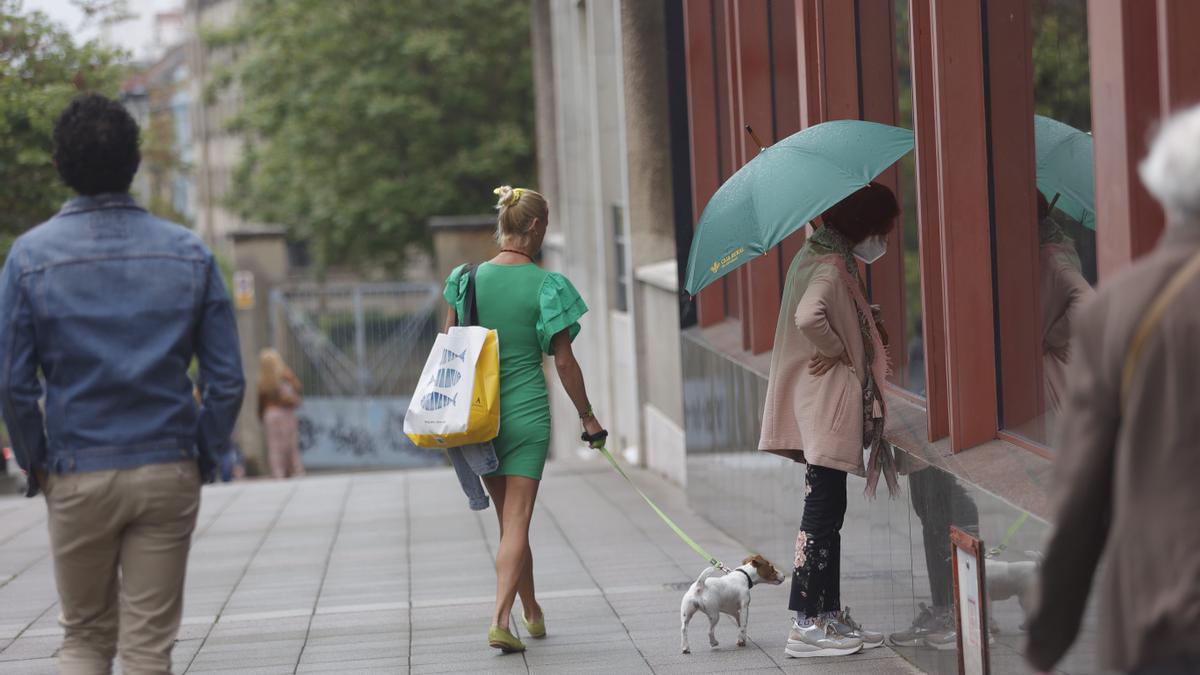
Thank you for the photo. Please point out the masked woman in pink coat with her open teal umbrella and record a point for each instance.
(824, 403)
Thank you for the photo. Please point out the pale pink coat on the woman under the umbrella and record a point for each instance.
(817, 420)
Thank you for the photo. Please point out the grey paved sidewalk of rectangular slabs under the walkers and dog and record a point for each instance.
(392, 574)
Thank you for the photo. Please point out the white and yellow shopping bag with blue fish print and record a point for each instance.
(454, 384)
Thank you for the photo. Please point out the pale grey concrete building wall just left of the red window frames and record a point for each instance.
(613, 213)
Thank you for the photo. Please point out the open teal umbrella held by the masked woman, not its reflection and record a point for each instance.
(784, 188)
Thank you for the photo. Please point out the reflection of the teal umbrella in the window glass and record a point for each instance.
(1065, 169)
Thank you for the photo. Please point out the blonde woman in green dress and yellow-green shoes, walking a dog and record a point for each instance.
(535, 313)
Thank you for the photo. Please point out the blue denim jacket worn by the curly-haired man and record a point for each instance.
(107, 306)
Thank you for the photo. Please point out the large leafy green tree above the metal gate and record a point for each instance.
(365, 118)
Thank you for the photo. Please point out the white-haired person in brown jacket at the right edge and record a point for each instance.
(1130, 451)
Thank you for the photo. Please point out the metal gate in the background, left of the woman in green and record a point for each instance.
(358, 351)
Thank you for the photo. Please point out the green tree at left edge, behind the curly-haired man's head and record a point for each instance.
(41, 70)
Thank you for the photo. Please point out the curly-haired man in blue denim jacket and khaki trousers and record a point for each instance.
(109, 306)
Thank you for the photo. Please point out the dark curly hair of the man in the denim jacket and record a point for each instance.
(97, 146)
